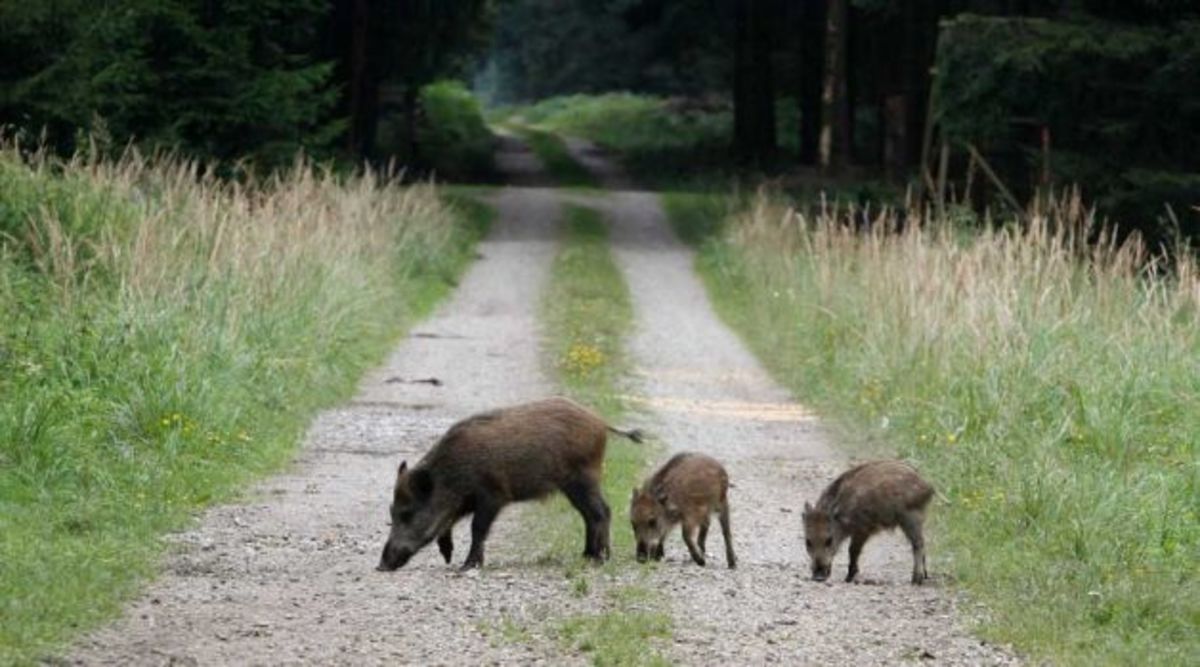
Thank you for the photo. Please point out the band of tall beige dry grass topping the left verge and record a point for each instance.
(164, 223)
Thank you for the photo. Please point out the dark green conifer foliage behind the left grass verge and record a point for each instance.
(218, 81)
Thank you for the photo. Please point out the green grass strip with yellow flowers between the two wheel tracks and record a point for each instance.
(587, 313)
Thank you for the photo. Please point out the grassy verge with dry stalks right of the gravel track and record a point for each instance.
(1051, 396)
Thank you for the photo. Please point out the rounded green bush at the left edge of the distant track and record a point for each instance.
(453, 135)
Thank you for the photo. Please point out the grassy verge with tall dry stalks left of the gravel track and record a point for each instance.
(165, 340)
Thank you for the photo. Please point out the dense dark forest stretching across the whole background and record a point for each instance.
(1037, 93)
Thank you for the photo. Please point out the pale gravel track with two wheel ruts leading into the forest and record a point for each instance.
(287, 578)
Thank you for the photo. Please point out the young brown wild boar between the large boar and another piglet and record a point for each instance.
(688, 490)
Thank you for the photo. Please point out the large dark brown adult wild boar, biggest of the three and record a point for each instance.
(490, 460)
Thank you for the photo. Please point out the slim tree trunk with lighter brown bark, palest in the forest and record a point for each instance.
(836, 140)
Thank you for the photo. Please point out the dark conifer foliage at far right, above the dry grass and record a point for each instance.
(1115, 99)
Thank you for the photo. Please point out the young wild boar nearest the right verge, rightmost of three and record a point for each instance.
(862, 502)
